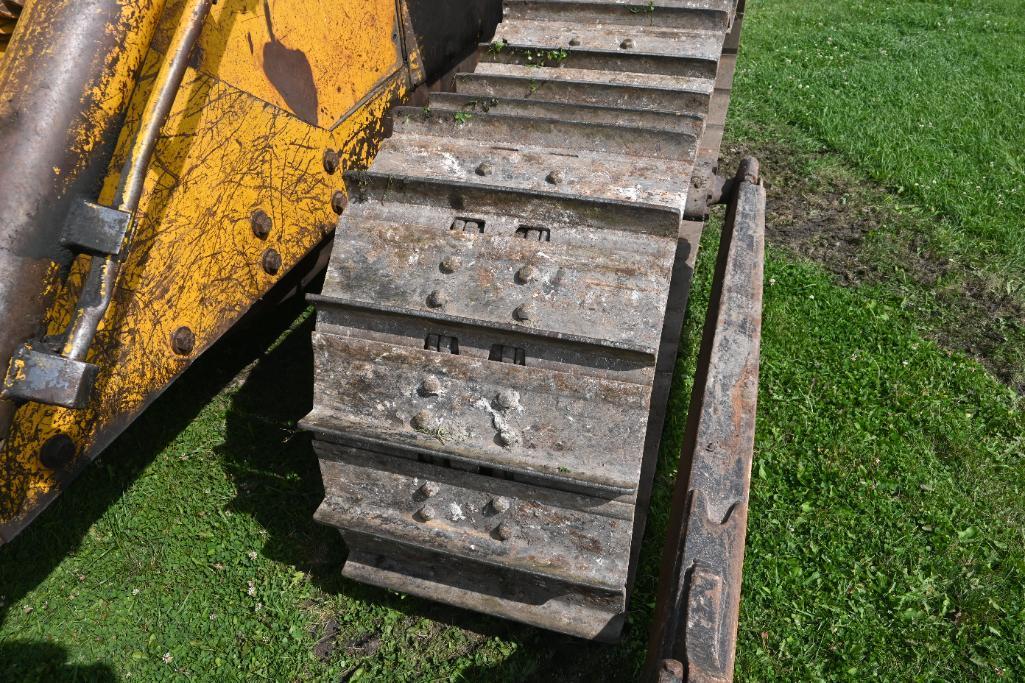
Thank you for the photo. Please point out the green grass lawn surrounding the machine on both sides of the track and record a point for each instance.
(887, 530)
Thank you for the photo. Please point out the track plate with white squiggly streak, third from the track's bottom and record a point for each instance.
(572, 432)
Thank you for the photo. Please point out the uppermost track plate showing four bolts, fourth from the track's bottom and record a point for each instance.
(572, 286)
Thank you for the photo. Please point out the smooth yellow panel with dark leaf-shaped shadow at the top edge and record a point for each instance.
(316, 59)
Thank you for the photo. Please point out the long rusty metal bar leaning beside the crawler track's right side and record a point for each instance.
(699, 602)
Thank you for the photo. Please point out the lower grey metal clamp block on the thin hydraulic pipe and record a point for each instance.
(49, 378)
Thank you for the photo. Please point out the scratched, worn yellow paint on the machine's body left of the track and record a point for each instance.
(225, 152)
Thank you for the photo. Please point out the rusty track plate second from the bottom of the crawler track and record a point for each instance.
(476, 518)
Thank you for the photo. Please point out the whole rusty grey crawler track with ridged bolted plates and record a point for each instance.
(499, 328)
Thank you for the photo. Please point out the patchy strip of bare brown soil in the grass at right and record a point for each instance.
(822, 210)
